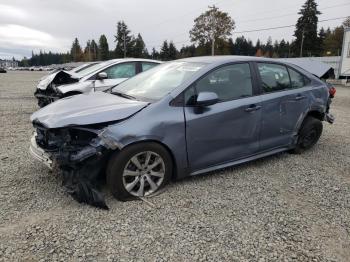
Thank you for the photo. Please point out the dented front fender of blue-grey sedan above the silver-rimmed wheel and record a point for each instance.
(168, 130)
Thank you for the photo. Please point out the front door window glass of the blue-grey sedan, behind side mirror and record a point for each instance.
(228, 82)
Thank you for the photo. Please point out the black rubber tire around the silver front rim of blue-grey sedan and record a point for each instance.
(119, 160)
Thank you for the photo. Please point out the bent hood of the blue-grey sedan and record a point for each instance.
(86, 109)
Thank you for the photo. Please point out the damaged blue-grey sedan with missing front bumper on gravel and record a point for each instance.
(182, 118)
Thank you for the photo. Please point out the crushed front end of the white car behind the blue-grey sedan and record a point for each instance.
(47, 92)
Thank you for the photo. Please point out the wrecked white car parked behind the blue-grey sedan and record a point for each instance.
(98, 77)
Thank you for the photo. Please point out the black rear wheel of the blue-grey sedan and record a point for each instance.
(309, 133)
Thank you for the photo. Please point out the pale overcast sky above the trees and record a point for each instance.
(53, 24)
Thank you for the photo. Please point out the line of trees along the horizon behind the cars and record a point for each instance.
(207, 39)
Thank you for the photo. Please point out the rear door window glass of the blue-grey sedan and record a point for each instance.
(274, 77)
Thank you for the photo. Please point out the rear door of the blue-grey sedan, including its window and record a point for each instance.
(282, 105)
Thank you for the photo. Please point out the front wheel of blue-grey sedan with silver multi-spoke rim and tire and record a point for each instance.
(139, 170)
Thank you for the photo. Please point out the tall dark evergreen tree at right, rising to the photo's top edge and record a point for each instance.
(306, 29)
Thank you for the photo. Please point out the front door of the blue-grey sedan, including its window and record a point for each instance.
(229, 129)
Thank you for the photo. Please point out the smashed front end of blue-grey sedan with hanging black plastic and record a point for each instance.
(80, 153)
